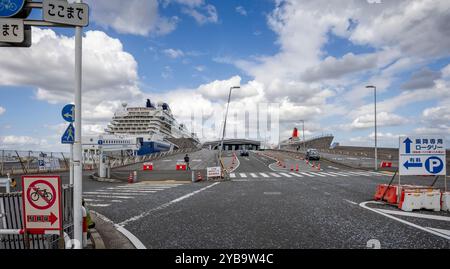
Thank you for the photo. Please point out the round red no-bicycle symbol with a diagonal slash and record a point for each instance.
(48, 195)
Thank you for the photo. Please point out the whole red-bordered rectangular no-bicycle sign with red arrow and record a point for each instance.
(41, 203)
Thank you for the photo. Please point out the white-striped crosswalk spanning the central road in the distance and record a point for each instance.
(309, 174)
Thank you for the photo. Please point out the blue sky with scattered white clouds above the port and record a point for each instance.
(313, 58)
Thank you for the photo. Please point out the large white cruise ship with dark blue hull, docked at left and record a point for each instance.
(145, 130)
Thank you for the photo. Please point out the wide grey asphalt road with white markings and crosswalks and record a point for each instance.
(269, 206)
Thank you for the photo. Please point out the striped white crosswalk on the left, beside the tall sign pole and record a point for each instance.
(109, 196)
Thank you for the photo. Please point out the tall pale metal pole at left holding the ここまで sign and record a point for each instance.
(77, 149)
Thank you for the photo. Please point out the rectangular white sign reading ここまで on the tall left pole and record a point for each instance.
(62, 12)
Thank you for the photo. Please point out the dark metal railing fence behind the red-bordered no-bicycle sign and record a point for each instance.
(11, 218)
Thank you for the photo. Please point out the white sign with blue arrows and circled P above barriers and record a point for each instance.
(422, 155)
